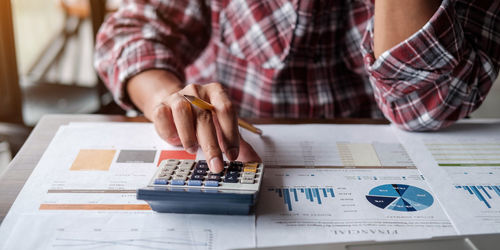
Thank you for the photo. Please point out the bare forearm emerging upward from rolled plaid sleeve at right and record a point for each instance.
(397, 20)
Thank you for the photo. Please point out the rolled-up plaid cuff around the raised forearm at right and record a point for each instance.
(422, 58)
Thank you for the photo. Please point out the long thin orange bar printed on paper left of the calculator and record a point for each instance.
(94, 207)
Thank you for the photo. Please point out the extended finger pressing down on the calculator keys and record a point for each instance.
(207, 138)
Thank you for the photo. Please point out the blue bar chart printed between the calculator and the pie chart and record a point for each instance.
(310, 194)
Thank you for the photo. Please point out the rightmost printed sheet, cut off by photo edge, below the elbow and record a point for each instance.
(462, 163)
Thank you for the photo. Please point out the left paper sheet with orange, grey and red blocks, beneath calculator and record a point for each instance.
(82, 195)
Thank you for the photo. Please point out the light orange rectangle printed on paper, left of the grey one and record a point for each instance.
(93, 159)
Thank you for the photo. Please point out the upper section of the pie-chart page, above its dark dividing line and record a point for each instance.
(334, 146)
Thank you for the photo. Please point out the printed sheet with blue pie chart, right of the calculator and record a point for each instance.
(332, 183)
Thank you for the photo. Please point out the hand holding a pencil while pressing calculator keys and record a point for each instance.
(178, 122)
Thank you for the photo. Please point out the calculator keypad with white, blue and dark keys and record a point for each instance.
(196, 174)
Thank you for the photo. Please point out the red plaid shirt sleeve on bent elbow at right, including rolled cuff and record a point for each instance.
(442, 72)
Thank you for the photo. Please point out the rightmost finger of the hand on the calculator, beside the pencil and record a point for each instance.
(225, 118)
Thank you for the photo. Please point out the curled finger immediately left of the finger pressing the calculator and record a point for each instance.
(184, 122)
